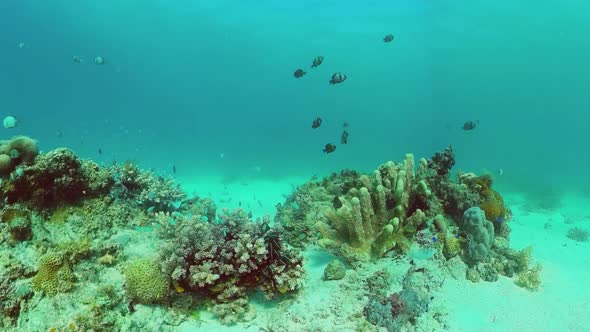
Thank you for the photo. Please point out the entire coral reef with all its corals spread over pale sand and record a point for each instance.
(90, 224)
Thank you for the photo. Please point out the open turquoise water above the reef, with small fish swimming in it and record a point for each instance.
(207, 87)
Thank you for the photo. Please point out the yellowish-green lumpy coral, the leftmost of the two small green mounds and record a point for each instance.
(54, 275)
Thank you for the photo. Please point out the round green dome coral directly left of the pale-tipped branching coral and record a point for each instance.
(144, 281)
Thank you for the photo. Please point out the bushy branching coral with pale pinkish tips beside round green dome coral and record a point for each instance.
(228, 258)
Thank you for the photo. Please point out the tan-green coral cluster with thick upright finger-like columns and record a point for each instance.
(382, 214)
